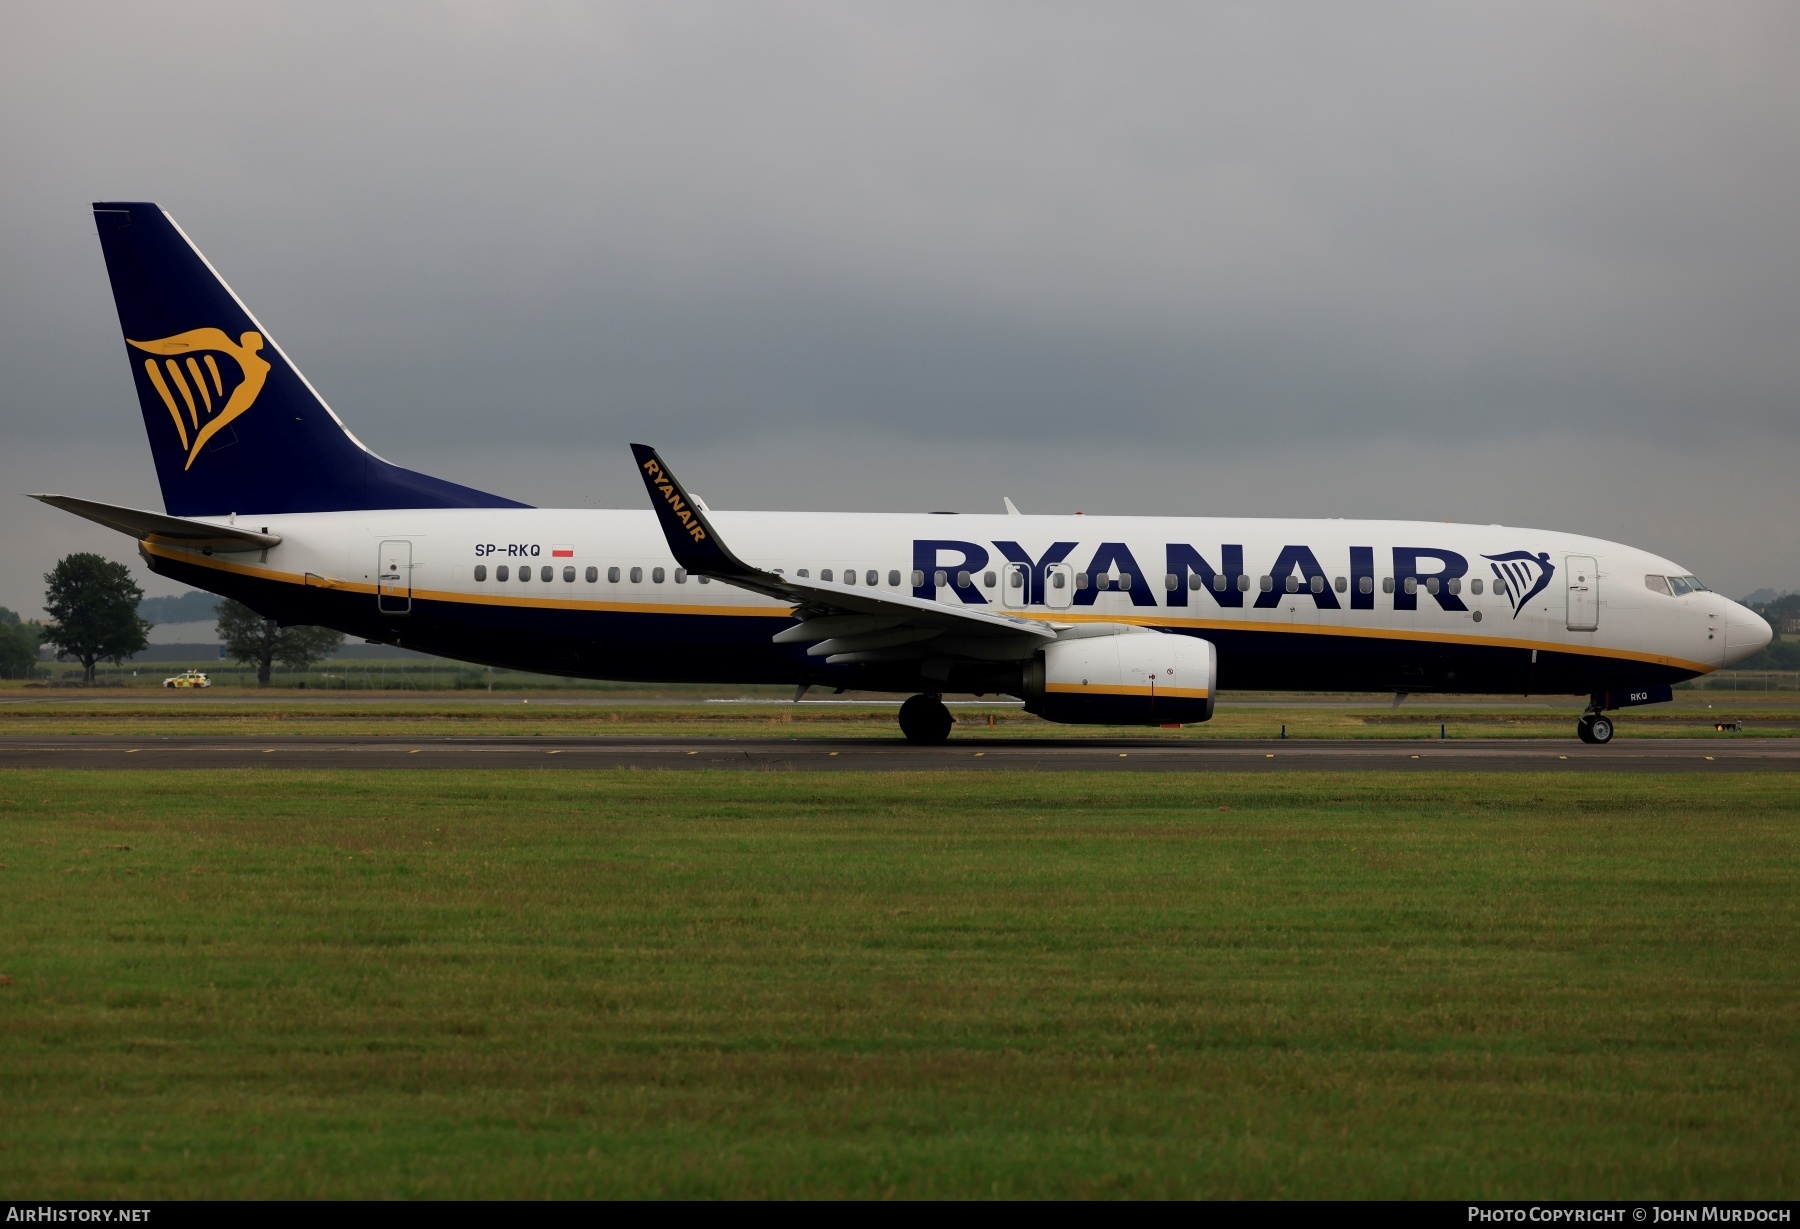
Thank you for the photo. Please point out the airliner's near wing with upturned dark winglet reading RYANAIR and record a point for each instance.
(843, 623)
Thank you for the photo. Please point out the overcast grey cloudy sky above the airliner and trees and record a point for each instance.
(1527, 264)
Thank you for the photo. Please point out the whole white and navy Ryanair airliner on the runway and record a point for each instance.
(269, 499)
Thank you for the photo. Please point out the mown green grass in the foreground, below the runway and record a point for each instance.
(514, 985)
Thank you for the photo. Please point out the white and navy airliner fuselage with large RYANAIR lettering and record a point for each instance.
(1372, 584)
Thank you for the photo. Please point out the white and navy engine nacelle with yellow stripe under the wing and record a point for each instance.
(1128, 679)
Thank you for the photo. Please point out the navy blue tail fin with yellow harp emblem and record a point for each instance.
(233, 424)
